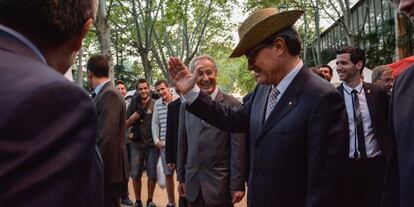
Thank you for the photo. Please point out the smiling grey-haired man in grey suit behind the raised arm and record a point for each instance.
(210, 161)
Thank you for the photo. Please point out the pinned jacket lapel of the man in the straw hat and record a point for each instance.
(286, 103)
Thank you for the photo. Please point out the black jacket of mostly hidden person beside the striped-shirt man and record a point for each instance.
(171, 137)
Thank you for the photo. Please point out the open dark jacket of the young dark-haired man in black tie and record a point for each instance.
(378, 105)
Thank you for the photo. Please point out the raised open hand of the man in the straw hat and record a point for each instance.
(184, 80)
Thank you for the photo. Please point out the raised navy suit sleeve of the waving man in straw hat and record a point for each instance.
(226, 118)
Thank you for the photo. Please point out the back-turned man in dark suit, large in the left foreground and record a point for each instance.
(47, 124)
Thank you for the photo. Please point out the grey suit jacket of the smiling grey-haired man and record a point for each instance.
(209, 160)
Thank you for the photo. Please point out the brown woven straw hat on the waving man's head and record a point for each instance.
(262, 24)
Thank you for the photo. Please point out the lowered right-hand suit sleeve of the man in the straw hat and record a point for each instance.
(327, 144)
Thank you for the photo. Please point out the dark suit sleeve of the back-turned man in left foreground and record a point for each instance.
(49, 141)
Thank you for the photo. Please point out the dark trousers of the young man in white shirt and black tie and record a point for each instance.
(364, 181)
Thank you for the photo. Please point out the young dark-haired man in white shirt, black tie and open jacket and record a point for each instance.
(367, 108)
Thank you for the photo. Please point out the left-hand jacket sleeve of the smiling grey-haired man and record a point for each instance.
(182, 145)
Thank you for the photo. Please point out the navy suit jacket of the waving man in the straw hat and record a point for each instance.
(296, 156)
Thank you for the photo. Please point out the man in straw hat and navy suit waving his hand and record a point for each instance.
(297, 121)
